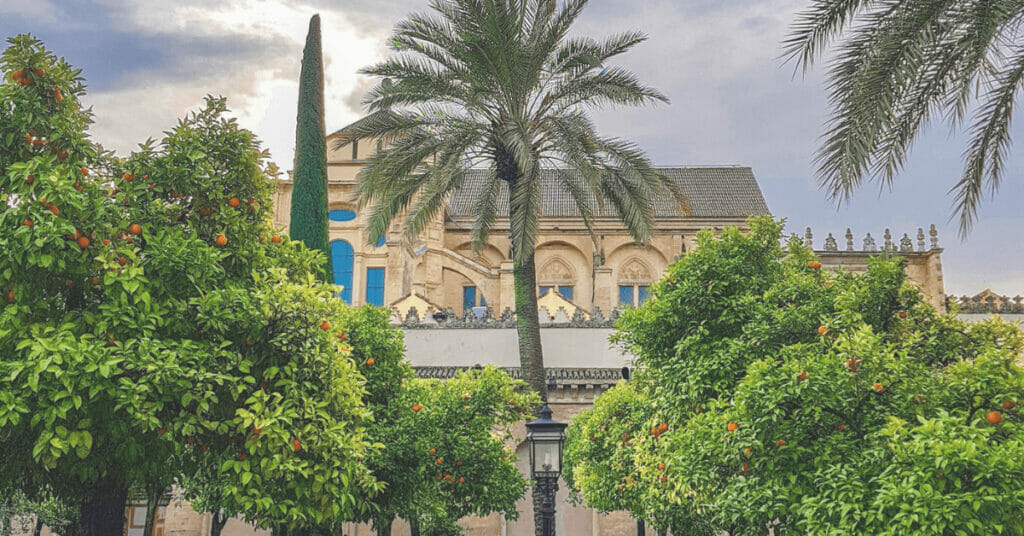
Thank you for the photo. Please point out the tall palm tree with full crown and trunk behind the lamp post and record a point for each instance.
(499, 85)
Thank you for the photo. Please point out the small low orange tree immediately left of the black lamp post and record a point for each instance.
(448, 452)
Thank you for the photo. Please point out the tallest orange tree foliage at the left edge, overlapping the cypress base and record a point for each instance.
(152, 318)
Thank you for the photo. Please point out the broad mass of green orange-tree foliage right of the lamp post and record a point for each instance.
(774, 394)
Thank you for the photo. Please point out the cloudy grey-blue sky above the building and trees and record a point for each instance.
(734, 101)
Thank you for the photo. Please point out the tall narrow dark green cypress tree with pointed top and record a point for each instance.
(309, 219)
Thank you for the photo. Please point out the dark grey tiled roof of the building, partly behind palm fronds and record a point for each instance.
(708, 192)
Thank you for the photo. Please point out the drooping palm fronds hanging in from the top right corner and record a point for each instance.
(900, 63)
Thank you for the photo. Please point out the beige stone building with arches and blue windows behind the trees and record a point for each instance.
(456, 305)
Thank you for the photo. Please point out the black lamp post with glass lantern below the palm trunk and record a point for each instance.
(546, 437)
